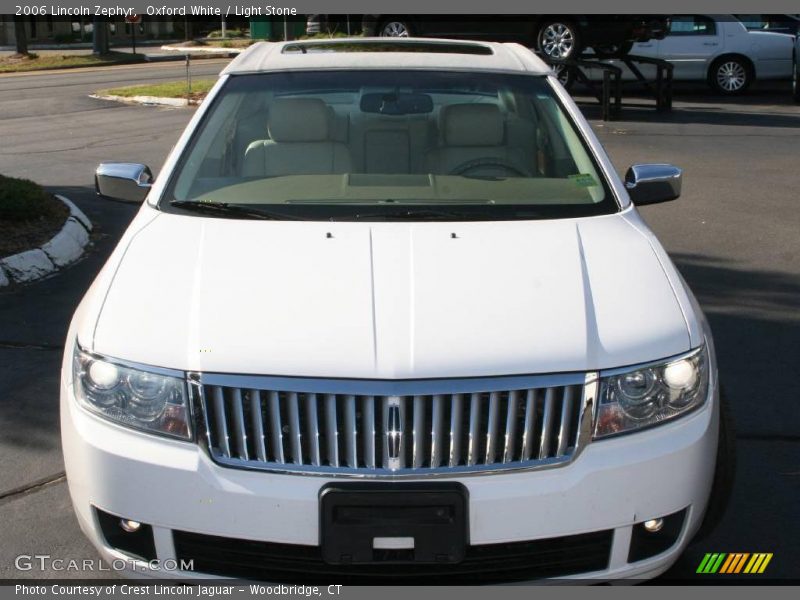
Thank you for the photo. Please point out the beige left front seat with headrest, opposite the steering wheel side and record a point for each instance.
(300, 142)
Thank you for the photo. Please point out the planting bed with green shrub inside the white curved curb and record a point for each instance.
(29, 216)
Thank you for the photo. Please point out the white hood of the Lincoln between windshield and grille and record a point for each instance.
(389, 300)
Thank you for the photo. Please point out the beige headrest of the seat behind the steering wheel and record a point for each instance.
(472, 125)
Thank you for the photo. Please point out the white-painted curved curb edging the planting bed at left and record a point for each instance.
(63, 249)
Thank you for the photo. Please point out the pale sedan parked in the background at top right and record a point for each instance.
(719, 49)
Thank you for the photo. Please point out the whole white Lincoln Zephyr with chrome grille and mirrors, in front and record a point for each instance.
(389, 314)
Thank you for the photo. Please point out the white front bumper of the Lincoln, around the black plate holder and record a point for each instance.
(174, 486)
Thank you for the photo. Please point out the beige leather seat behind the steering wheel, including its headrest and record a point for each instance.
(471, 133)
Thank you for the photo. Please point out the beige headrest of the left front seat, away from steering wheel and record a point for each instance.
(298, 120)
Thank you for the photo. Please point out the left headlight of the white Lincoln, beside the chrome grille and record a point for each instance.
(132, 397)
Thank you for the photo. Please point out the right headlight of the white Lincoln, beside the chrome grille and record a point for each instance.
(651, 394)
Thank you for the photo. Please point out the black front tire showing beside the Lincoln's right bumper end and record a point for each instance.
(724, 472)
